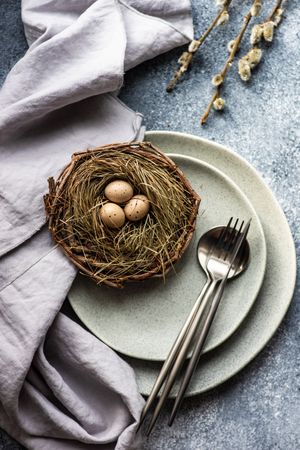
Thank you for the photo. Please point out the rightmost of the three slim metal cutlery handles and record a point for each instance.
(198, 349)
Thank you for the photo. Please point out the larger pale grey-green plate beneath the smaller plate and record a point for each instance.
(279, 283)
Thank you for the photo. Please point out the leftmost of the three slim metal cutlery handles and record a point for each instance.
(174, 351)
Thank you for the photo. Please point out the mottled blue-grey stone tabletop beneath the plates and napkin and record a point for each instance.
(258, 409)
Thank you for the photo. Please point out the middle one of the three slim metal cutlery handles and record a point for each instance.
(183, 351)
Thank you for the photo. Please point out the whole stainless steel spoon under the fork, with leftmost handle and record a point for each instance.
(207, 247)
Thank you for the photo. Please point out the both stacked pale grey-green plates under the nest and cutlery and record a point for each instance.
(142, 320)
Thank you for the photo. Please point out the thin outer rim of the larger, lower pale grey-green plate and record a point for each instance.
(292, 251)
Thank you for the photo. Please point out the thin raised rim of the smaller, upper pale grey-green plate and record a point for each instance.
(253, 212)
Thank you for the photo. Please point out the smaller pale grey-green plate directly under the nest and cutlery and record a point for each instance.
(143, 319)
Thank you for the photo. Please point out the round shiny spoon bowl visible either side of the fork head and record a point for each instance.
(209, 240)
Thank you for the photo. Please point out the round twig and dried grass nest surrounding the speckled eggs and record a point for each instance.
(138, 250)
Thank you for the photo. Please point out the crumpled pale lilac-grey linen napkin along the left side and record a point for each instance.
(60, 387)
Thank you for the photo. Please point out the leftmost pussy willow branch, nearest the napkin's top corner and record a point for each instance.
(188, 55)
